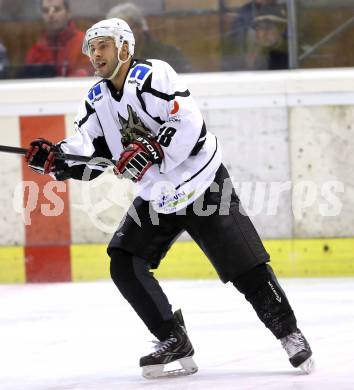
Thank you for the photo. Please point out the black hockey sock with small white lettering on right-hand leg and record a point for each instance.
(262, 290)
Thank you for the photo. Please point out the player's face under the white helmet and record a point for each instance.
(103, 55)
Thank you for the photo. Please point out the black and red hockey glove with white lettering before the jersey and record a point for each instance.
(138, 157)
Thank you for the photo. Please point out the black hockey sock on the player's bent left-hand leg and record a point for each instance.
(138, 286)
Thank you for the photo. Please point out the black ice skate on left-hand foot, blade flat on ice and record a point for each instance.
(175, 348)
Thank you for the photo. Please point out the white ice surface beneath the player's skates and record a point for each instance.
(85, 336)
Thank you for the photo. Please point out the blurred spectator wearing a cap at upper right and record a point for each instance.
(270, 48)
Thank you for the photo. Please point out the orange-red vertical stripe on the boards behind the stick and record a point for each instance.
(47, 240)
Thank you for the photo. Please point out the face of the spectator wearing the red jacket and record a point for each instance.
(55, 15)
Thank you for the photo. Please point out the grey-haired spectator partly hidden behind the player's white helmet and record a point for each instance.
(146, 46)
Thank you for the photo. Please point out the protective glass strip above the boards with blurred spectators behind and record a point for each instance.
(43, 38)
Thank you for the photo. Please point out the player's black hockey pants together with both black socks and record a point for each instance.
(227, 238)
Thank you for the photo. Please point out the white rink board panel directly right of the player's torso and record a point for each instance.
(255, 144)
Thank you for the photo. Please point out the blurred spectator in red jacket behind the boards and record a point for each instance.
(60, 44)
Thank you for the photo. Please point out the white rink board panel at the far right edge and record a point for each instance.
(322, 149)
